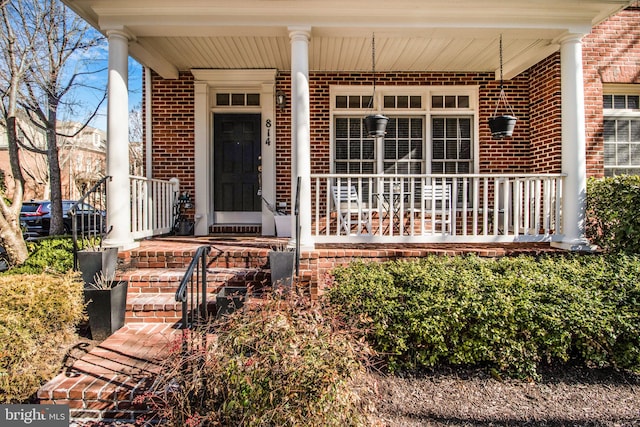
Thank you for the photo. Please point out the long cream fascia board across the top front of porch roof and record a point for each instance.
(149, 17)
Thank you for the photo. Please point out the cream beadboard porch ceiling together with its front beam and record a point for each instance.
(413, 35)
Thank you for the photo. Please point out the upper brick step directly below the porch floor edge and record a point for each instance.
(164, 280)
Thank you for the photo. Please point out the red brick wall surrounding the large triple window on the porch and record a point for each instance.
(507, 156)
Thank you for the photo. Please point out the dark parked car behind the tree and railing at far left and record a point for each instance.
(36, 217)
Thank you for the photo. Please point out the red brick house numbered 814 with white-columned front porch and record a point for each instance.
(241, 98)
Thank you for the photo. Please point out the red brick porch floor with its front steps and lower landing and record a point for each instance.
(102, 385)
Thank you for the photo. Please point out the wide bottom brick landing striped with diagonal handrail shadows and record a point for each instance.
(103, 384)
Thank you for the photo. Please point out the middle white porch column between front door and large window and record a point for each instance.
(300, 132)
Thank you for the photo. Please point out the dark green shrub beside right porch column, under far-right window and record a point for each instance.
(613, 214)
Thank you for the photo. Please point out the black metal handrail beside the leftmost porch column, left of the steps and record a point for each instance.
(89, 219)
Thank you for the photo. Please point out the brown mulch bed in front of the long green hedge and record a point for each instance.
(571, 396)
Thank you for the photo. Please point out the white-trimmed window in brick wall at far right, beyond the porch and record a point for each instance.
(621, 130)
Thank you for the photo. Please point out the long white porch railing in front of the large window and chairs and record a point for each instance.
(436, 208)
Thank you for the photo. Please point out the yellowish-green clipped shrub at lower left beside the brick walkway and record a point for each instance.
(38, 315)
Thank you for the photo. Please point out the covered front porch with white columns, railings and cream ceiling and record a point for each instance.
(268, 49)
